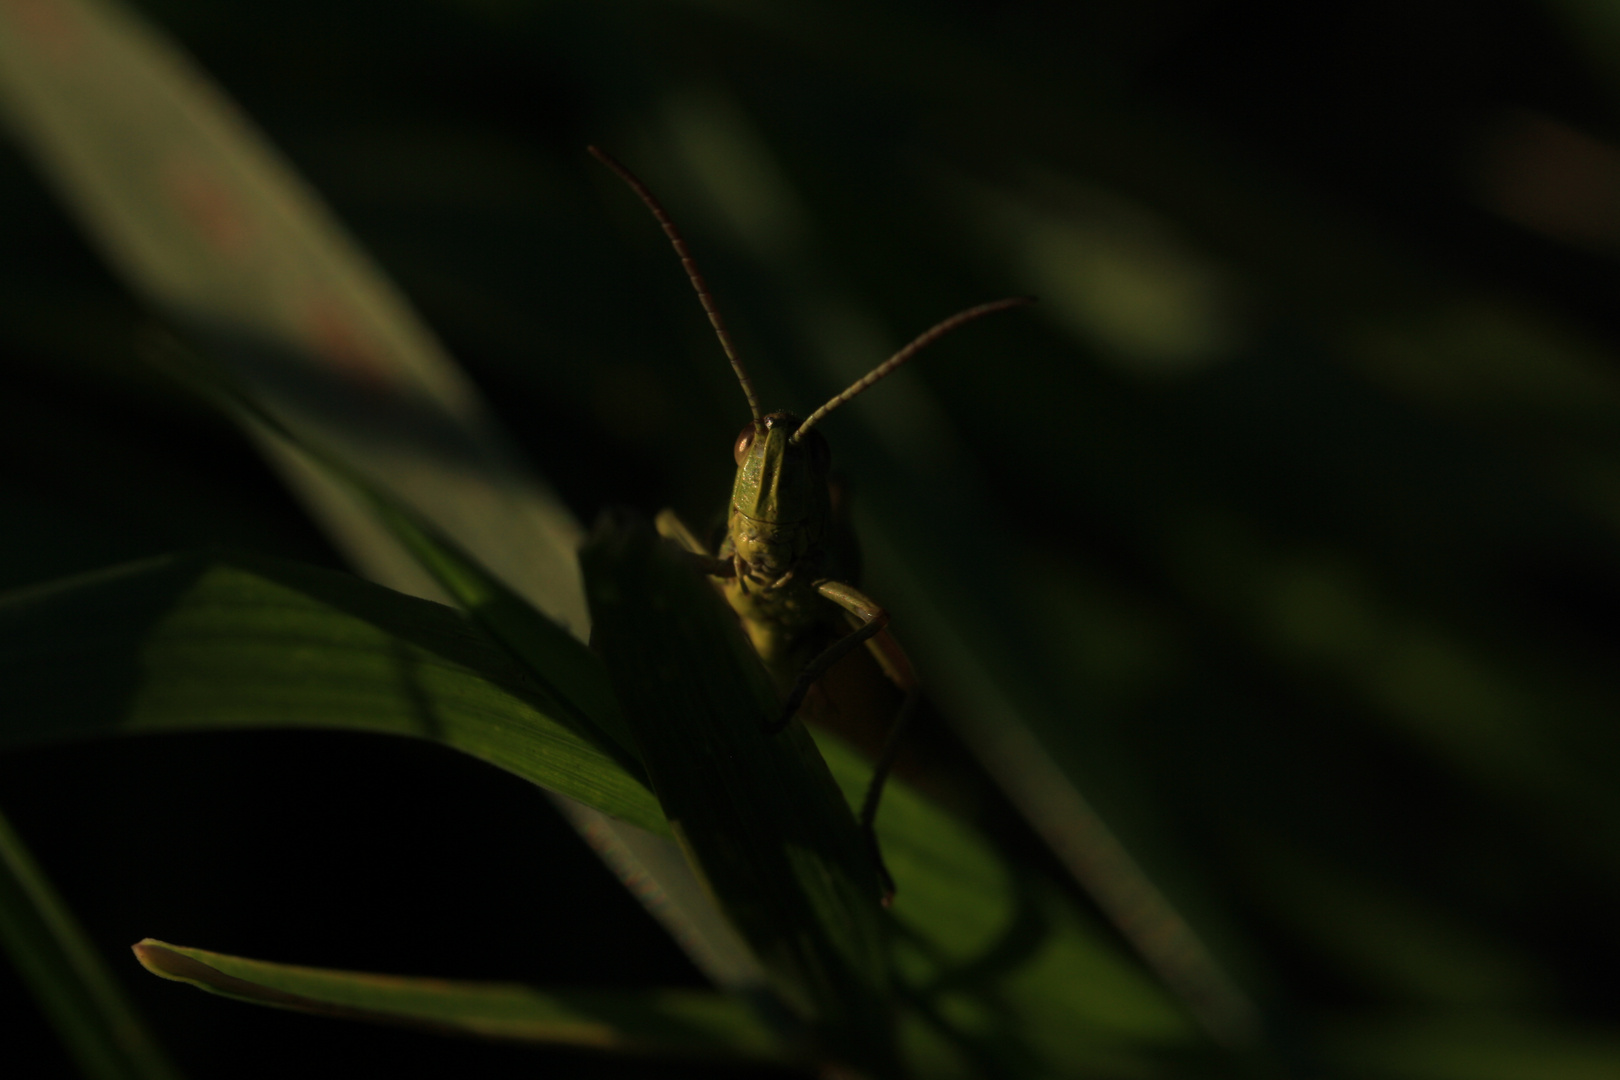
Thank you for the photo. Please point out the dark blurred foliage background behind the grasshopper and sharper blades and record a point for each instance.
(1292, 511)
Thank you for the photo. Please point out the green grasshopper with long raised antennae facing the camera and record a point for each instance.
(788, 546)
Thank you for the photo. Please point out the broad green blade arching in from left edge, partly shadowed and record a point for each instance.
(218, 642)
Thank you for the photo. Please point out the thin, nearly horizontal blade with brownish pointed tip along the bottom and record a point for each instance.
(654, 1023)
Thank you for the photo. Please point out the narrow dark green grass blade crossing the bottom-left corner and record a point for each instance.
(79, 995)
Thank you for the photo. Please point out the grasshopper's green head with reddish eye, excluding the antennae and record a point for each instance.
(780, 508)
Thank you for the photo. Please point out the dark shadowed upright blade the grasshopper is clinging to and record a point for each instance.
(759, 815)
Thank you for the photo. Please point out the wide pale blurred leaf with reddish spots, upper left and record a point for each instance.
(202, 218)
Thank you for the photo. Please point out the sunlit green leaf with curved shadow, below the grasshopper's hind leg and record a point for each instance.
(997, 966)
